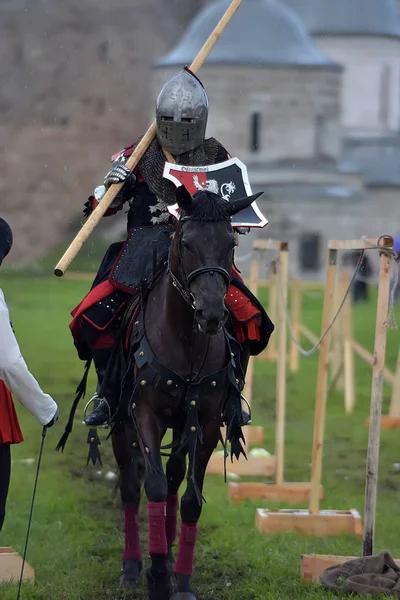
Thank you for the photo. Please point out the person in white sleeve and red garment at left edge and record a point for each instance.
(15, 379)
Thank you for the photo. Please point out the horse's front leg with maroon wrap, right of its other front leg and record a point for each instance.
(190, 514)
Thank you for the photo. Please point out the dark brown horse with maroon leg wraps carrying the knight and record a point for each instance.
(184, 378)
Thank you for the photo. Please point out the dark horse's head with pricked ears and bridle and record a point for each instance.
(201, 255)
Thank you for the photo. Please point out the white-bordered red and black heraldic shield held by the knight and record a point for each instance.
(228, 179)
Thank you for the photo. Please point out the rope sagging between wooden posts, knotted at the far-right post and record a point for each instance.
(390, 322)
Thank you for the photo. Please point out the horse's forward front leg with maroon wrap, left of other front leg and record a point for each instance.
(159, 583)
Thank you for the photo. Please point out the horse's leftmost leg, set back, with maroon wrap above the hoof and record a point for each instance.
(131, 468)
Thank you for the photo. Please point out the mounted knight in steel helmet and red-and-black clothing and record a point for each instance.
(181, 115)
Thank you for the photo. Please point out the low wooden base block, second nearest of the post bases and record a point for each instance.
(324, 523)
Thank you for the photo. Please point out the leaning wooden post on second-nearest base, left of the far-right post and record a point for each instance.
(322, 380)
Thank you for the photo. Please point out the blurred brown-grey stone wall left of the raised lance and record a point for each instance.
(75, 88)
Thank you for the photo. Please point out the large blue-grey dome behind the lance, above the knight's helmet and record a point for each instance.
(262, 32)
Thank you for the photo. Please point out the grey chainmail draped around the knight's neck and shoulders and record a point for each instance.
(151, 166)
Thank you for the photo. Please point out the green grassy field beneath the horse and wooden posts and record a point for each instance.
(76, 540)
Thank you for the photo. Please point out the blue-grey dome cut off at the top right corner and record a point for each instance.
(348, 17)
